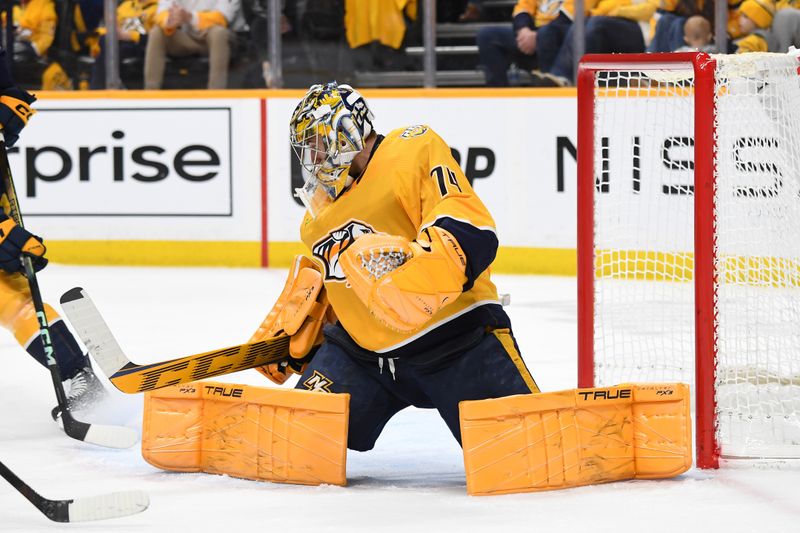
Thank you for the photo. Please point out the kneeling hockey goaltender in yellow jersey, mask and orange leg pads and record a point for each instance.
(395, 307)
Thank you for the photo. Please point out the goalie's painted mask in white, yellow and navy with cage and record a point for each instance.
(327, 131)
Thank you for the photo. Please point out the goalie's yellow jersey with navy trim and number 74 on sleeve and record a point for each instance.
(411, 182)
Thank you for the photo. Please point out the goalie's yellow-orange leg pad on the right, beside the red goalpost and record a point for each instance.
(555, 440)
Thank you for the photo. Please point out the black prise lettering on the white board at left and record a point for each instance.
(146, 163)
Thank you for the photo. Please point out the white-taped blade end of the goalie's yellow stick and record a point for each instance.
(93, 331)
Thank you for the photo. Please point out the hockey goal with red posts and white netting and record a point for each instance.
(689, 238)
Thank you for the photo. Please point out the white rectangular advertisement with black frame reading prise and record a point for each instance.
(122, 158)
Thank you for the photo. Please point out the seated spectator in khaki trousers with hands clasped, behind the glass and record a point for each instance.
(191, 27)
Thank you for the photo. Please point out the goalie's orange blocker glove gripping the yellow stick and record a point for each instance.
(300, 312)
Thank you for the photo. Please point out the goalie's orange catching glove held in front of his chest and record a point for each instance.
(404, 283)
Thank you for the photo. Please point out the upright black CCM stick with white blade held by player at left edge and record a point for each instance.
(109, 436)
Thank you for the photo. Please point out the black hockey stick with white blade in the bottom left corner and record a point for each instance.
(112, 505)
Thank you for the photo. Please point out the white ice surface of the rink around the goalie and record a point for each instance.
(412, 481)
